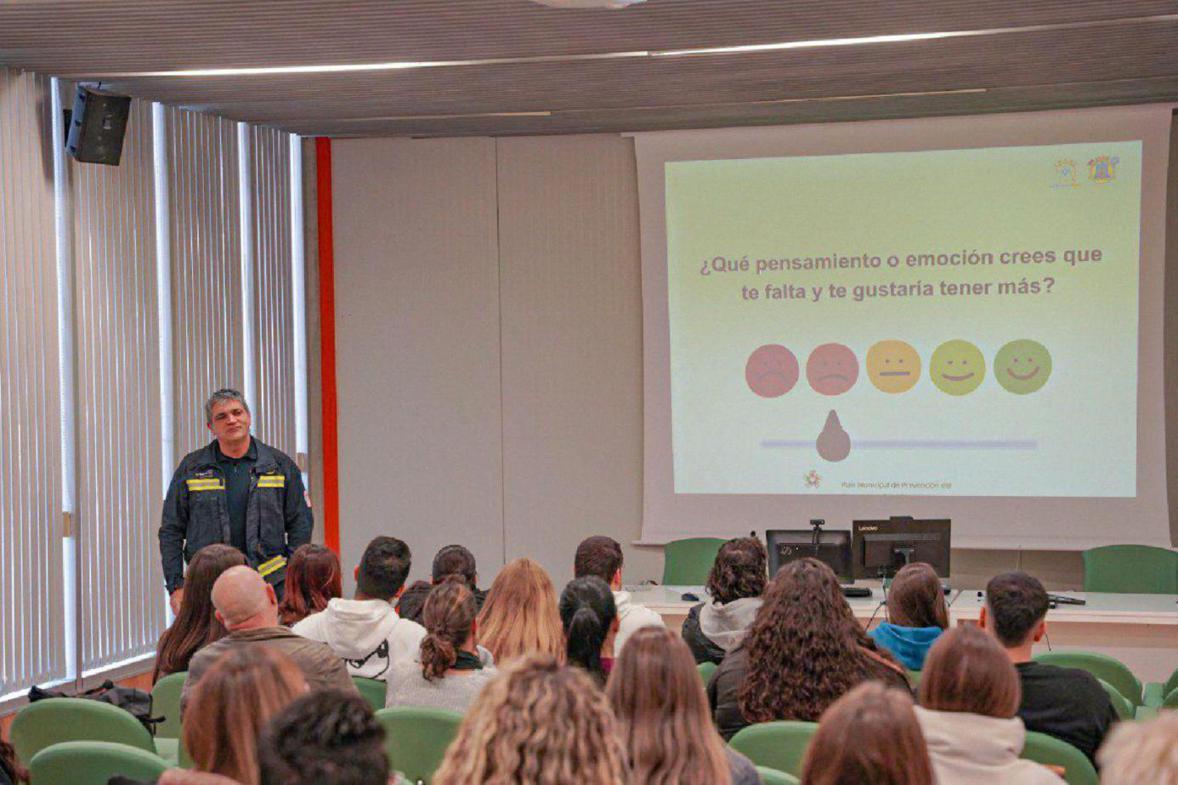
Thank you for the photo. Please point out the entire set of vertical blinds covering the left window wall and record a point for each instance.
(100, 246)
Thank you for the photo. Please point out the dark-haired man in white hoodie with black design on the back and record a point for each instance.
(367, 632)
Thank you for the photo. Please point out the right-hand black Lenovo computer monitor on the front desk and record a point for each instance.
(881, 549)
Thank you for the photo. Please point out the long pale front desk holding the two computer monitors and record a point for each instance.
(1140, 630)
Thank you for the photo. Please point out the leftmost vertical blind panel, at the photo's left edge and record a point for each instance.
(32, 637)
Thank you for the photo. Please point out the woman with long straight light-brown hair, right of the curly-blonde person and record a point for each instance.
(664, 718)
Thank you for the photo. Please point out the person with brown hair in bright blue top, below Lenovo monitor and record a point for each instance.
(917, 616)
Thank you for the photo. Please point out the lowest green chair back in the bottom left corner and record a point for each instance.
(94, 763)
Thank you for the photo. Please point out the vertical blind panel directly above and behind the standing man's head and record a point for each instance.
(208, 345)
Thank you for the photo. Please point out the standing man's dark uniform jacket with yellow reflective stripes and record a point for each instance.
(196, 513)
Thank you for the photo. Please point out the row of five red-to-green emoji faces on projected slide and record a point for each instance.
(956, 368)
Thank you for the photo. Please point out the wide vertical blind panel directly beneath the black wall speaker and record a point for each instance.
(118, 408)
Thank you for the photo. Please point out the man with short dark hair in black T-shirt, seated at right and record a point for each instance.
(1066, 703)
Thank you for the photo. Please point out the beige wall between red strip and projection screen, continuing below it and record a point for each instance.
(489, 353)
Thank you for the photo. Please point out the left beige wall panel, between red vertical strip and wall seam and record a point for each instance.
(418, 346)
